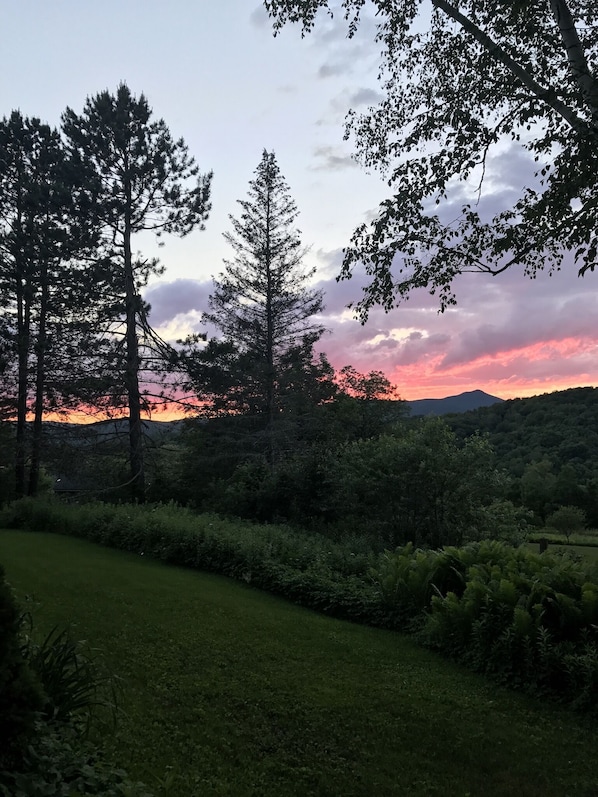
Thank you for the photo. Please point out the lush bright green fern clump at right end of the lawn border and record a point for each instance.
(529, 620)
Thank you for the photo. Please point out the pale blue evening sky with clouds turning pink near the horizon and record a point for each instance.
(219, 78)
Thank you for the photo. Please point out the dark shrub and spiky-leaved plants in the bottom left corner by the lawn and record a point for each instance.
(52, 691)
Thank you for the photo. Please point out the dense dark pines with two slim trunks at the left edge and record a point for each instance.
(46, 294)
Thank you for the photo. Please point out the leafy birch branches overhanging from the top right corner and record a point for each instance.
(459, 78)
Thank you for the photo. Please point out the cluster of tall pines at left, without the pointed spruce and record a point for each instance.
(73, 327)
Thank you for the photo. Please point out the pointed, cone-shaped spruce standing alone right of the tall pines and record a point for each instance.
(264, 308)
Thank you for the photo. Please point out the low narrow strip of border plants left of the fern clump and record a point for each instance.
(310, 570)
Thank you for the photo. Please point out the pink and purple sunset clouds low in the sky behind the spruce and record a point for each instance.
(508, 335)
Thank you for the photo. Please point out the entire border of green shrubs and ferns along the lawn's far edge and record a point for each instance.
(528, 620)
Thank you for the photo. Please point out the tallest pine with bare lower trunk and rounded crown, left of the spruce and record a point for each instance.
(147, 182)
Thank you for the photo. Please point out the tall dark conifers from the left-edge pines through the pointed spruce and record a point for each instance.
(74, 330)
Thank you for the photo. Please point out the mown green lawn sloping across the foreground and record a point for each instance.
(229, 691)
